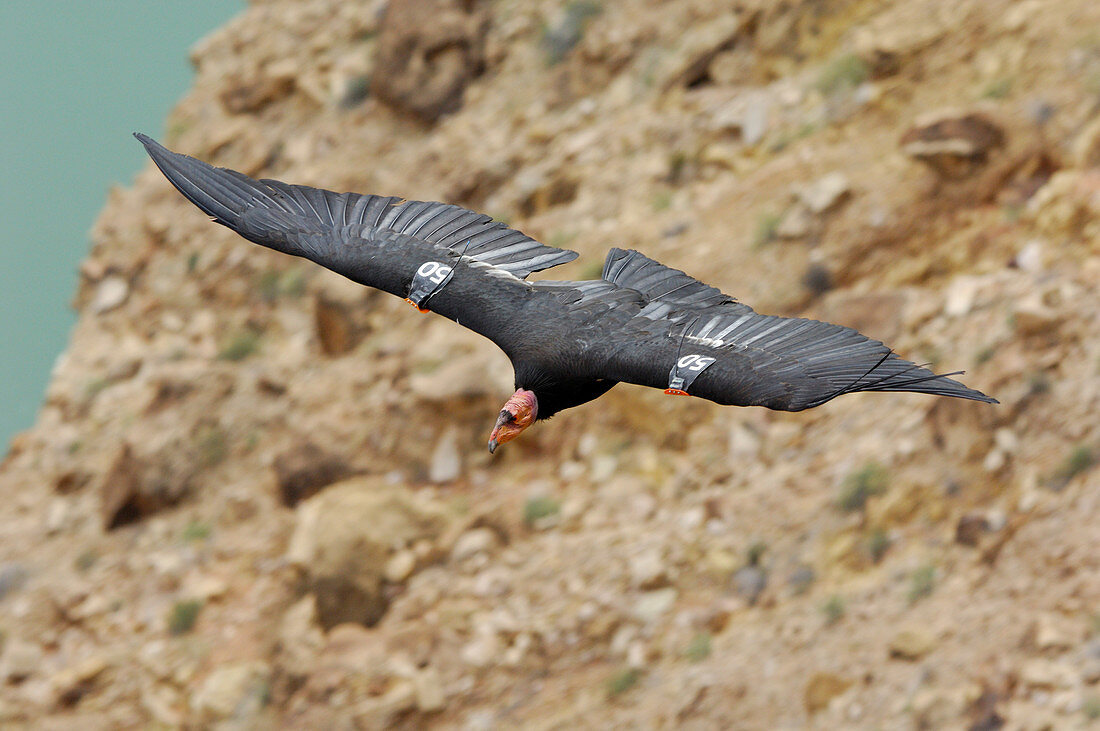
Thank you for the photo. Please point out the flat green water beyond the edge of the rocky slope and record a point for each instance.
(76, 79)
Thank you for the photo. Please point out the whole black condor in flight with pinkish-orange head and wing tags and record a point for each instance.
(569, 341)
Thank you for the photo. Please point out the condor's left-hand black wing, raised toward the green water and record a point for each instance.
(460, 264)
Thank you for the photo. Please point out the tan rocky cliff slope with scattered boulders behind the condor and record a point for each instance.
(258, 494)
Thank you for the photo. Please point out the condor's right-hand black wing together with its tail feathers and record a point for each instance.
(691, 338)
